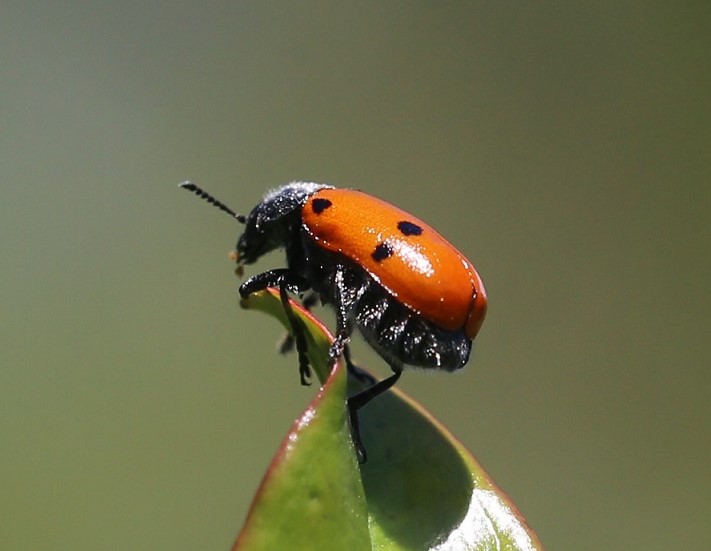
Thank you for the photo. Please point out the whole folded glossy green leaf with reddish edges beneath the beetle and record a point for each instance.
(420, 489)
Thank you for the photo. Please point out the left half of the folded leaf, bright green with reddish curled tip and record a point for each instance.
(312, 496)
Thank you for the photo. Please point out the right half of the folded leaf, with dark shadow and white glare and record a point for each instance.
(425, 490)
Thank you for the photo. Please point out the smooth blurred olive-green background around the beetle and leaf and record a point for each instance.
(564, 147)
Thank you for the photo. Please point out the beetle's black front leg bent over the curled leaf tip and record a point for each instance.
(285, 281)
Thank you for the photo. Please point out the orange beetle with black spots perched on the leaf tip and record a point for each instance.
(413, 296)
